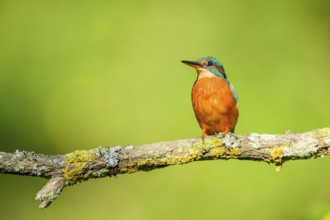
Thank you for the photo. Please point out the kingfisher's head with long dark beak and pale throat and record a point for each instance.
(207, 67)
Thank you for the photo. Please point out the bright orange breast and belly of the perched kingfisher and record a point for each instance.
(214, 106)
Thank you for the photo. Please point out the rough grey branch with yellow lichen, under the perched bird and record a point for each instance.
(81, 165)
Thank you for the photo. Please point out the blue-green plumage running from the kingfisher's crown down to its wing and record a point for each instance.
(215, 67)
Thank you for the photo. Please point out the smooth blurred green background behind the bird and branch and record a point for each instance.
(79, 74)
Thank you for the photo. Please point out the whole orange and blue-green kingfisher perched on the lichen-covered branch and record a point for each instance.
(214, 98)
